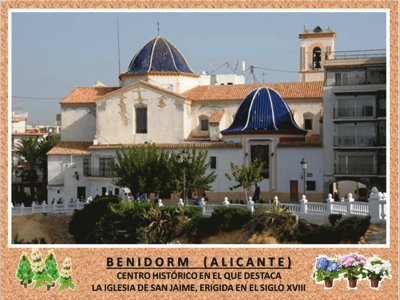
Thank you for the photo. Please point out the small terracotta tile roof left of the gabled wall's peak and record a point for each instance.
(86, 95)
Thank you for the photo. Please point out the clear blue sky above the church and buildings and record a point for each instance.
(54, 52)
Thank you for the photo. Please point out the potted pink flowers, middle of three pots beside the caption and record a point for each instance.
(351, 267)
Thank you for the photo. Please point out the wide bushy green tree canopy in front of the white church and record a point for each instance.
(151, 169)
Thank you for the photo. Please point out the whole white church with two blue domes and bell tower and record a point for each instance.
(161, 100)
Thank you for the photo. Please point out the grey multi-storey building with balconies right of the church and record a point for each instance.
(355, 122)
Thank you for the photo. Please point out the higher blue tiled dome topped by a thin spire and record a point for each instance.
(158, 55)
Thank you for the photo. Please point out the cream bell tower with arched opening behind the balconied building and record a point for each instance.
(315, 47)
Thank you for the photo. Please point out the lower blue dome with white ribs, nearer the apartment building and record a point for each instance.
(264, 110)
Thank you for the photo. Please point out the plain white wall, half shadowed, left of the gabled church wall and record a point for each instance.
(78, 123)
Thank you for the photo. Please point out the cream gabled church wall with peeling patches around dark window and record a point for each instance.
(116, 118)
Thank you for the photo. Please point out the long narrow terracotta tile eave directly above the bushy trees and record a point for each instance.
(204, 145)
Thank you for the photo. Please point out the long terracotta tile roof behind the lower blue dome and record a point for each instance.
(289, 90)
